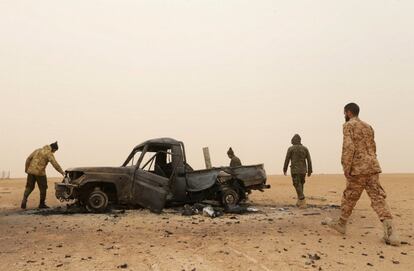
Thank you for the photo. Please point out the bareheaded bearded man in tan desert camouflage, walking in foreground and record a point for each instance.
(361, 169)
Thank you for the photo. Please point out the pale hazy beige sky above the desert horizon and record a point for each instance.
(102, 76)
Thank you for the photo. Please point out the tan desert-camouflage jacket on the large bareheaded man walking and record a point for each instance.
(359, 151)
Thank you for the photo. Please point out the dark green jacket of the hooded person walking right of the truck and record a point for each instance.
(299, 158)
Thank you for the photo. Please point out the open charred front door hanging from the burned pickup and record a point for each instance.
(150, 188)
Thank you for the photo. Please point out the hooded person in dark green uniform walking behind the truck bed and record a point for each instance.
(301, 163)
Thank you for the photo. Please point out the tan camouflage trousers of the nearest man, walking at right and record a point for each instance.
(354, 188)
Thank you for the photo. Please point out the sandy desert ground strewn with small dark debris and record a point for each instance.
(279, 237)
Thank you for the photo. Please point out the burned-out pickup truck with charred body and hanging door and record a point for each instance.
(156, 174)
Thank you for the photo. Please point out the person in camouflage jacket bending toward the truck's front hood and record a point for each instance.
(36, 172)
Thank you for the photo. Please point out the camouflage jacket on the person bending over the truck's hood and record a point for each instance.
(37, 161)
